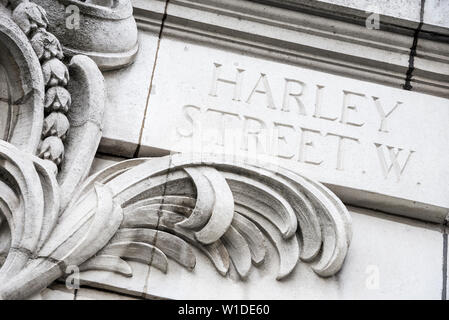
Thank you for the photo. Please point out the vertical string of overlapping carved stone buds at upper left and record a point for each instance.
(32, 19)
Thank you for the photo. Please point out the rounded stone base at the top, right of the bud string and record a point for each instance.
(105, 48)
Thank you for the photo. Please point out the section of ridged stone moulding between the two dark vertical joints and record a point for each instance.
(294, 36)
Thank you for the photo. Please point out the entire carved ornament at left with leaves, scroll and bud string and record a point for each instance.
(148, 210)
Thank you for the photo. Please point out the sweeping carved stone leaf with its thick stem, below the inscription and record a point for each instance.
(152, 210)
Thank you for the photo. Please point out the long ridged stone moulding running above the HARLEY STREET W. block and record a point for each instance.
(314, 35)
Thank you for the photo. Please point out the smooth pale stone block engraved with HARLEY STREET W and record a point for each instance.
(372, 143)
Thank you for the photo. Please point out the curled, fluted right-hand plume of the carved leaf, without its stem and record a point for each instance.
(224, 209)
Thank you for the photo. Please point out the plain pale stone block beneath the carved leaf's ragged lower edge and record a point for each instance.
(375, 269)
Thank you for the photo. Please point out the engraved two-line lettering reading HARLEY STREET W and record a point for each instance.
(283, 136)
